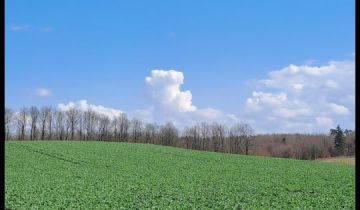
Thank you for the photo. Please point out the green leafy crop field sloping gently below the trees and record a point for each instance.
(104, 175)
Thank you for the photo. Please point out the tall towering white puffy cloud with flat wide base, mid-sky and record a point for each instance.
(170, 103)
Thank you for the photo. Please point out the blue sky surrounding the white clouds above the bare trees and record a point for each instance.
(102, 51)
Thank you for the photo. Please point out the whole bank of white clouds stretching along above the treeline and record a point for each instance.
(296, 98)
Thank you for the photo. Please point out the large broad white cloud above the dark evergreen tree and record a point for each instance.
(310, 98)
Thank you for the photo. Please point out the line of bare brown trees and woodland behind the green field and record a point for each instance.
(47, 123)
